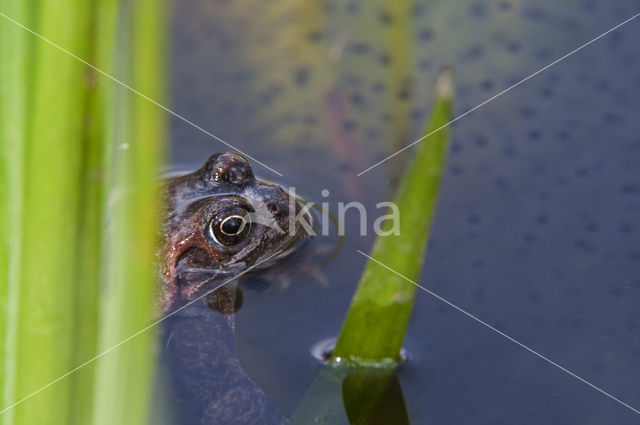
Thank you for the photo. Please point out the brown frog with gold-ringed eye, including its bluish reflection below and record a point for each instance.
(220, 222)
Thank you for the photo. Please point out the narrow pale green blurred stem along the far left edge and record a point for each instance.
(13, 74)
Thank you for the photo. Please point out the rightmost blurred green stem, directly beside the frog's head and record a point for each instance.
(135, 134)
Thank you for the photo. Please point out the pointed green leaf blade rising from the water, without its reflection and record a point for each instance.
(381, 308)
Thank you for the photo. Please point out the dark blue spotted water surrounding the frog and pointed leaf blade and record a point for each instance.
(538, 226)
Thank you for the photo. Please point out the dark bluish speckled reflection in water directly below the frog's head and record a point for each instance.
(209, 384)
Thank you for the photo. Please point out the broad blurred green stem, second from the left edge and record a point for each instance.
(54, 123)
